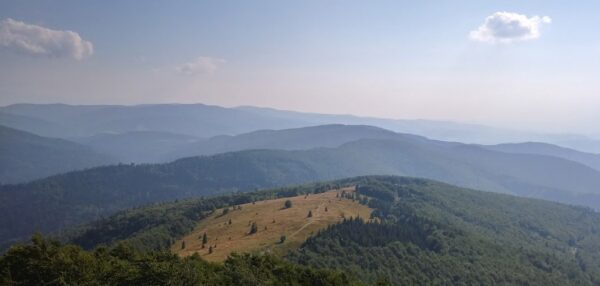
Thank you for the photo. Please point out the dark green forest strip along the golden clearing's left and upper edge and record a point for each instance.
(156, 226)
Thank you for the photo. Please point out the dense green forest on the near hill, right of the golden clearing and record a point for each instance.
(431, 233)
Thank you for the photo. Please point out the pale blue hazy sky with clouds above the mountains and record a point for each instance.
(531, 65)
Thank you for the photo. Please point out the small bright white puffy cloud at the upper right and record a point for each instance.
(506, 27)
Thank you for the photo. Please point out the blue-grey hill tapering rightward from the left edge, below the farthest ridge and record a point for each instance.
(25, 156)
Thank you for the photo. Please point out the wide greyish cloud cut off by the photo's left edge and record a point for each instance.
(37, 40)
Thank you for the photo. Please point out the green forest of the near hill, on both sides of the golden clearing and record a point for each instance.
(424, 233)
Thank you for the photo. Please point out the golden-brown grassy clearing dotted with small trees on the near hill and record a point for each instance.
(273, 220)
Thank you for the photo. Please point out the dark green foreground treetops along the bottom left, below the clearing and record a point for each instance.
(46, 262)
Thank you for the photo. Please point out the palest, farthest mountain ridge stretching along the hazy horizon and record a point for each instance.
(205, 121)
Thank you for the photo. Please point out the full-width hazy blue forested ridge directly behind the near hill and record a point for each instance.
(83, 196)
